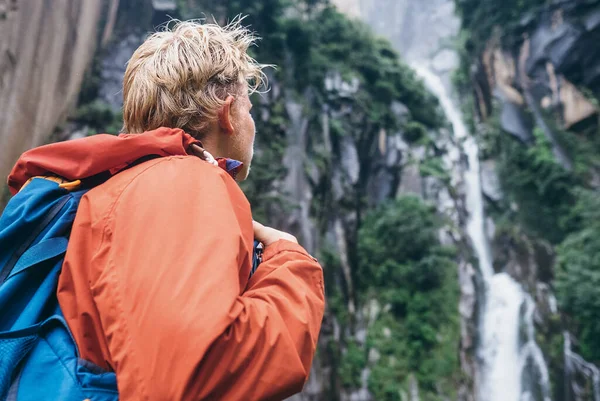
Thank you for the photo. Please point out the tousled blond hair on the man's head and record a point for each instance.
(180, 77)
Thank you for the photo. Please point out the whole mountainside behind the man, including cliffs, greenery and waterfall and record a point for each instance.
(444, 172)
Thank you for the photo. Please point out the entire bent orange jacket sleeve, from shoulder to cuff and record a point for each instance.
(181, 320)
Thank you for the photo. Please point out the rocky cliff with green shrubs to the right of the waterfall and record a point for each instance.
(529, 76)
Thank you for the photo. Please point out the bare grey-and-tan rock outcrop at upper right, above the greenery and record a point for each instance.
(559, 54)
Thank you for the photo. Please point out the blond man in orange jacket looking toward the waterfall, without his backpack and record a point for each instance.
(155, 284)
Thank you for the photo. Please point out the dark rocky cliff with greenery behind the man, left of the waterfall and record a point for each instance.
(350, 148)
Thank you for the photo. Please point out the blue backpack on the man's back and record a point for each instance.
(39, 359)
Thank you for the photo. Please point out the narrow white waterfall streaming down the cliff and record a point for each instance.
(504, 359)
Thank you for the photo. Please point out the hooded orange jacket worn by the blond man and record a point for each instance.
(155, 281)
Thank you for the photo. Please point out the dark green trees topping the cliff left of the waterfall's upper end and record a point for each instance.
(335, 43)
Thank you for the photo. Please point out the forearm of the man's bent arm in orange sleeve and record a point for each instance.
(275, 335)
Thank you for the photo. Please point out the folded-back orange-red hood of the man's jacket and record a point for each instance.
(87, 157)
